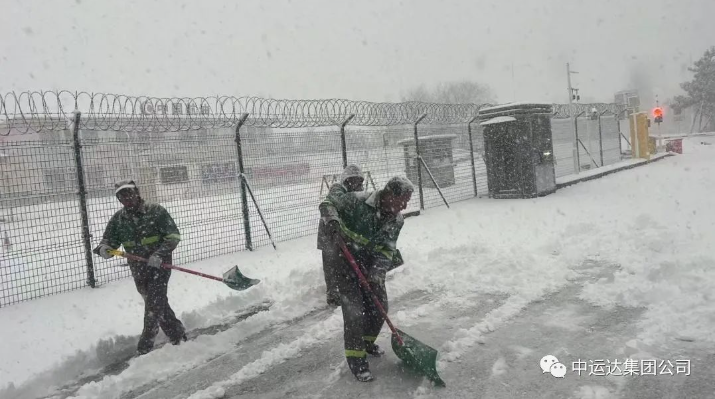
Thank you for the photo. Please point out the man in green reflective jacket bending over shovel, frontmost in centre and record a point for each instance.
(370, 225)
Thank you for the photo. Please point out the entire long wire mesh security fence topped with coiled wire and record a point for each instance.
(224, 166)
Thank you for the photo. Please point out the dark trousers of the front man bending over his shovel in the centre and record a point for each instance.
(362, 320)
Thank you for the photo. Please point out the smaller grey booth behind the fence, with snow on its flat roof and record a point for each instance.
(438, 156)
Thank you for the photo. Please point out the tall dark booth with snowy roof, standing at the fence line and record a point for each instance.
(518, 148)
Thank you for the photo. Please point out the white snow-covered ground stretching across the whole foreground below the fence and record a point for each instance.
(646, 233)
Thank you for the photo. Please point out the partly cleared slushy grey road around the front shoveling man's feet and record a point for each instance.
(501, 361)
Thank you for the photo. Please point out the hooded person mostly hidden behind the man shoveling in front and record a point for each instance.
(350, 180)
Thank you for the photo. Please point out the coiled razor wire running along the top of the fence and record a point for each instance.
(38, 111)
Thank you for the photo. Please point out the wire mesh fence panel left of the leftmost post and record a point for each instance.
(41, 223)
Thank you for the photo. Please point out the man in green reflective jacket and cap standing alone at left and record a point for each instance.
(146, 230)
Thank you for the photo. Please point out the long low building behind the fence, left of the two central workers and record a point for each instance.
(40, 167)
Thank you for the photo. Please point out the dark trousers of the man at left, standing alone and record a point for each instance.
(152, 284)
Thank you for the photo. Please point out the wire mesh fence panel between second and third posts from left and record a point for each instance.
(285, 169)
